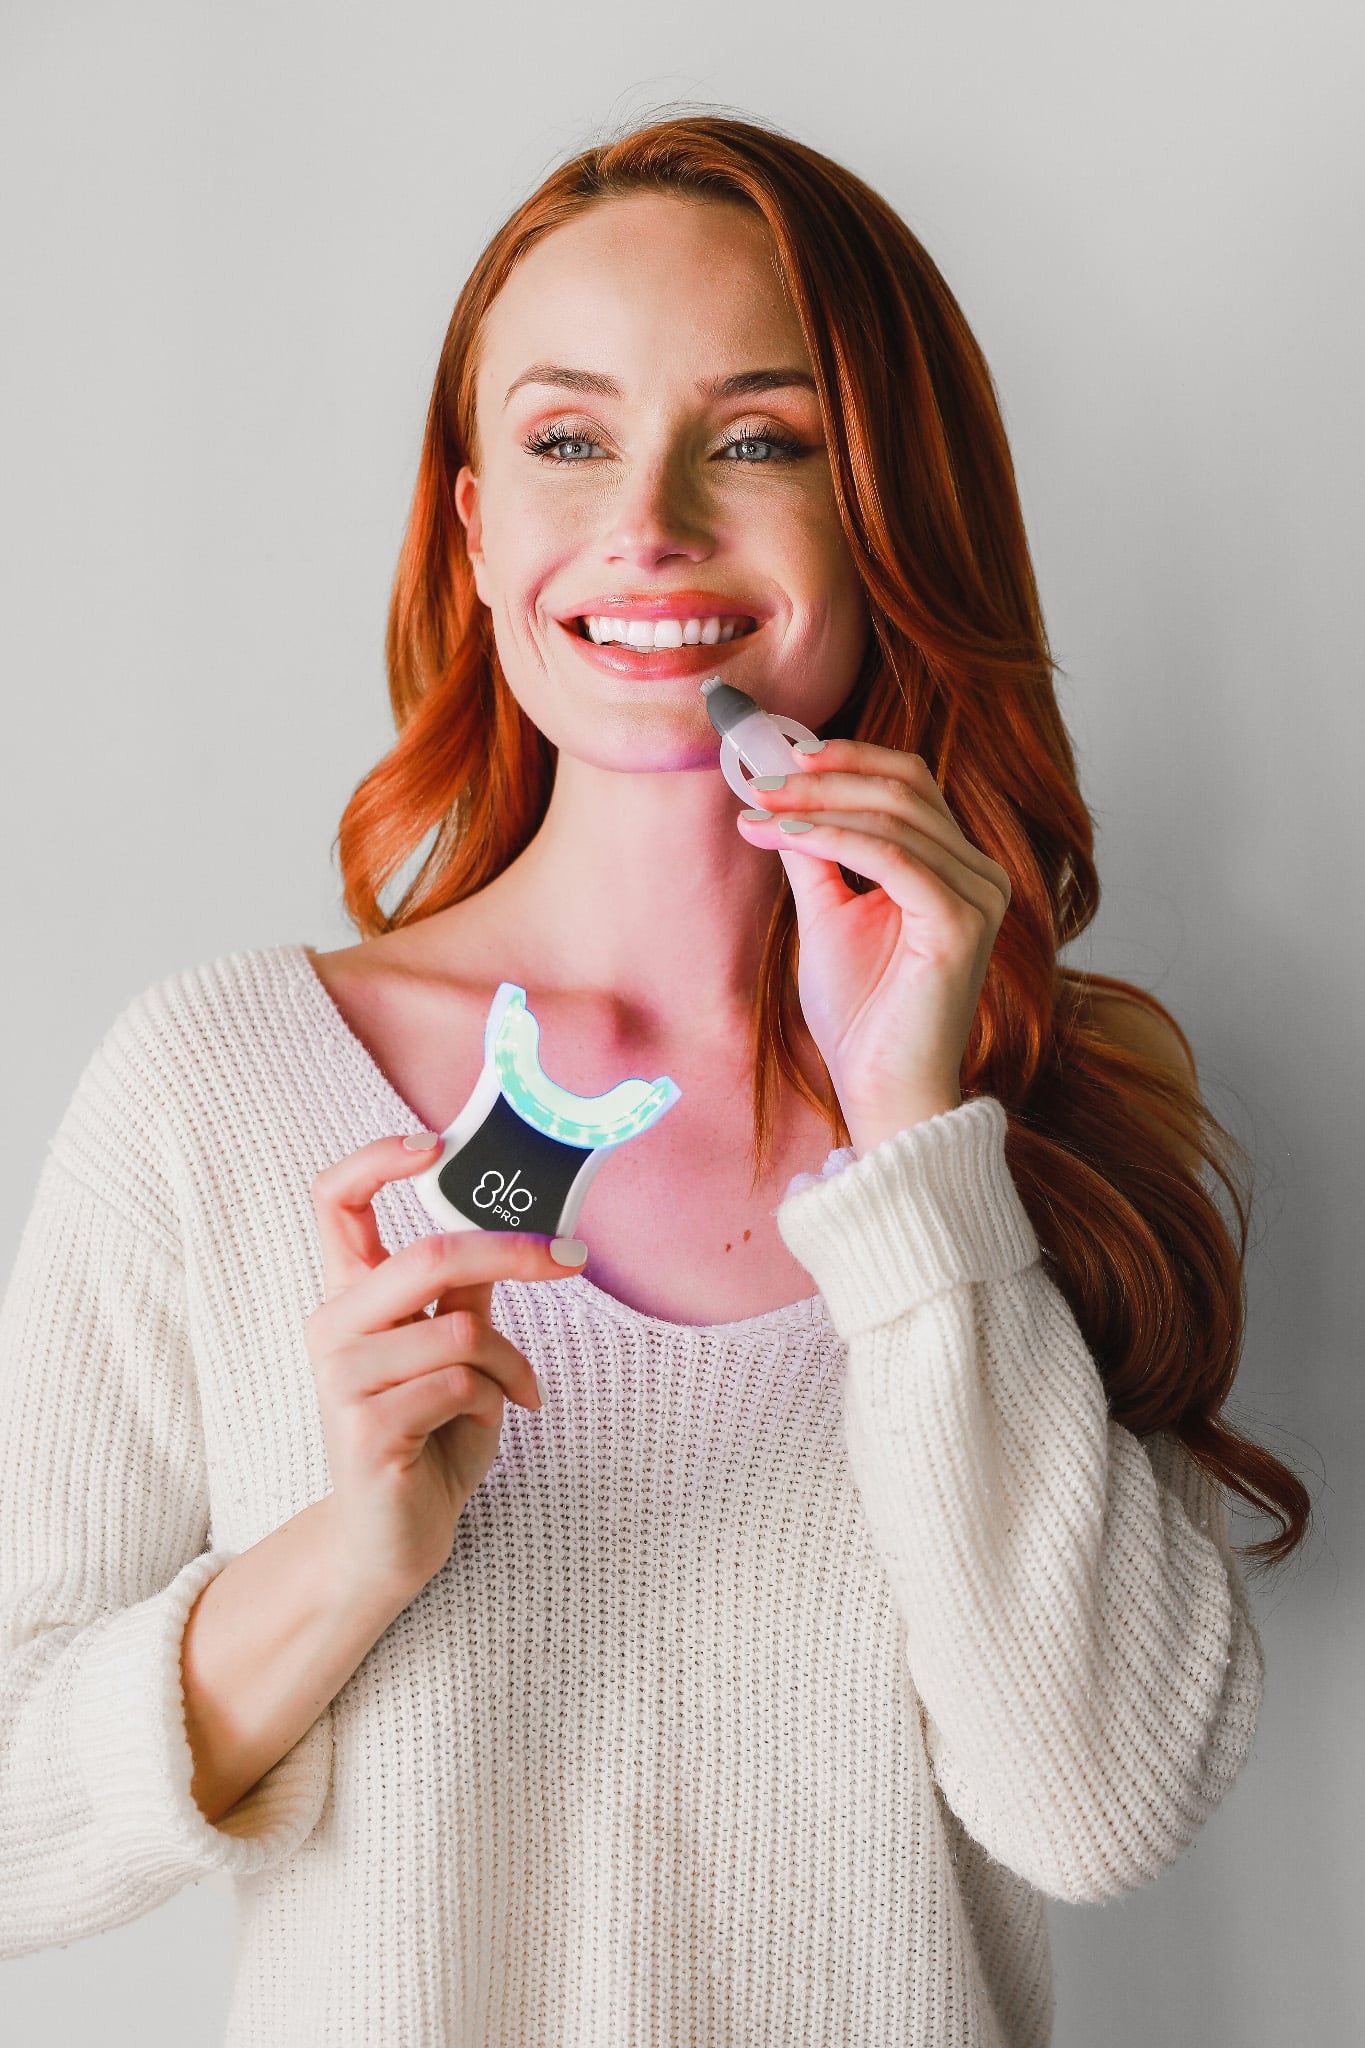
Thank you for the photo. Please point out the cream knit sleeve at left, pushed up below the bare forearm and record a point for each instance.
(103, 1553)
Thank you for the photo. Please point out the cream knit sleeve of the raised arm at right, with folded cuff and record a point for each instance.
(1075, 1623)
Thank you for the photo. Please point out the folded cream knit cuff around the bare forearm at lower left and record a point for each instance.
(134, 1756)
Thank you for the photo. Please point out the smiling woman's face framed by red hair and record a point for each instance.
(660, 486)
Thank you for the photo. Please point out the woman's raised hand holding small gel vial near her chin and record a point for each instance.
(889, 982)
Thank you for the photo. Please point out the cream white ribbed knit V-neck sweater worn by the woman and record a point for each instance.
(781, 1668)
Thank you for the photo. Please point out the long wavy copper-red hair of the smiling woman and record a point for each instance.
(1106, 1144)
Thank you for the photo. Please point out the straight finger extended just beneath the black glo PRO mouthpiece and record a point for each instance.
(449, 1265)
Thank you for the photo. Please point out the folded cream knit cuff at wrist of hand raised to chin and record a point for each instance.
(928, 1209)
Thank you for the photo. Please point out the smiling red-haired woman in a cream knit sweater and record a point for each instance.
(764, 1680)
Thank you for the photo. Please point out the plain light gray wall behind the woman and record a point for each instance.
(232, 243)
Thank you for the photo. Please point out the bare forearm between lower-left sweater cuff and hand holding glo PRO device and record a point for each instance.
(267, 1648)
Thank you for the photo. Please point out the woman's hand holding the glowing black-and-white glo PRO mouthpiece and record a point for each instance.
(410, 1404)
